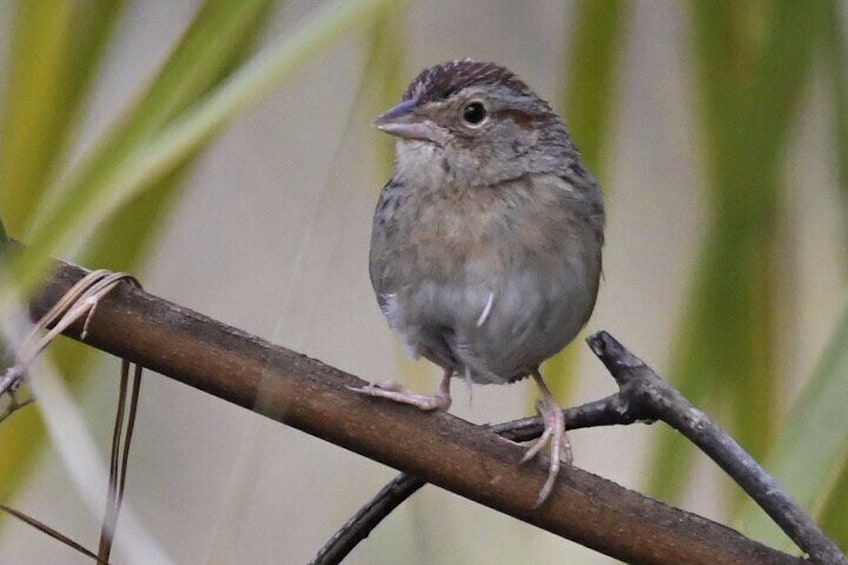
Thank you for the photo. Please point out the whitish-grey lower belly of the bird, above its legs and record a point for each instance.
(497, 329)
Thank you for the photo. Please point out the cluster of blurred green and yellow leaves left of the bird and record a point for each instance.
(55, 51)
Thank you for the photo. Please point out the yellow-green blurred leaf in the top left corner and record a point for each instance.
(56, 49)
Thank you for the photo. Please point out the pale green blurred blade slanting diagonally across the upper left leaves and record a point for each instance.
(85, 200)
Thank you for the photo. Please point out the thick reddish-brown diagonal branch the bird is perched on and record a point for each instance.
(437, 447)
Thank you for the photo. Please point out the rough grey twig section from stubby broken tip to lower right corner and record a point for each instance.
(644, 391)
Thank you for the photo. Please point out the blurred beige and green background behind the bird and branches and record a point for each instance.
(718, 130)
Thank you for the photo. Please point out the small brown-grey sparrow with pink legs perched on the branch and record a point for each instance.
(486, 244)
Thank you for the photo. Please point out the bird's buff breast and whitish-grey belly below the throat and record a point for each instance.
(495, 285)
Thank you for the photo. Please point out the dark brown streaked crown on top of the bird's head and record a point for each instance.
(442, 81)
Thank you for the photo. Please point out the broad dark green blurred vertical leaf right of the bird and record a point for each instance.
(753, 65)
